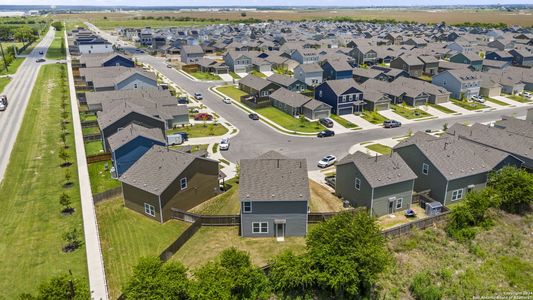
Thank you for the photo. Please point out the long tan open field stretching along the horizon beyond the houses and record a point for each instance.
(523, 18)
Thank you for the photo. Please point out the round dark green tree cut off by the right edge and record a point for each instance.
(515, 188)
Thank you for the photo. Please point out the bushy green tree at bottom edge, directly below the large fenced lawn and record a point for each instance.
(153, 279)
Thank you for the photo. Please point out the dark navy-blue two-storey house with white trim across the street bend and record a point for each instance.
(344, 95)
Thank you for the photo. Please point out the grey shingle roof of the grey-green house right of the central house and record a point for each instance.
(381, 170)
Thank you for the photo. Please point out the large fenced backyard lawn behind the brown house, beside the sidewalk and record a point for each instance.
(126, 236)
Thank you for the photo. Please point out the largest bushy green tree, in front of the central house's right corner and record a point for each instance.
(348, 253)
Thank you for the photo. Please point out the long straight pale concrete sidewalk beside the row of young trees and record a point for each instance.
(95, 261)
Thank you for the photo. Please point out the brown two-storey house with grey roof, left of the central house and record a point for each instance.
(164, 179)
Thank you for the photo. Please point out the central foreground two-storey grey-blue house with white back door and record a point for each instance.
(274, 196)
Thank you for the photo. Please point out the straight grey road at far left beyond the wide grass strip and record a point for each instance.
(18, 93)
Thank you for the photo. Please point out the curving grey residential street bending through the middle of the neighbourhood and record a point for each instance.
(256, 138)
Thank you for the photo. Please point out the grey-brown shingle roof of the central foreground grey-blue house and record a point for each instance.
(273, 177)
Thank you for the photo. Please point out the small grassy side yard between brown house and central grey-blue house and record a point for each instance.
(227, 203)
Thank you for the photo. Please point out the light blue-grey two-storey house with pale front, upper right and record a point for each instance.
(461, 83)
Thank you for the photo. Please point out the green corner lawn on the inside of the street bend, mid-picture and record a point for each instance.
(289, 122)
